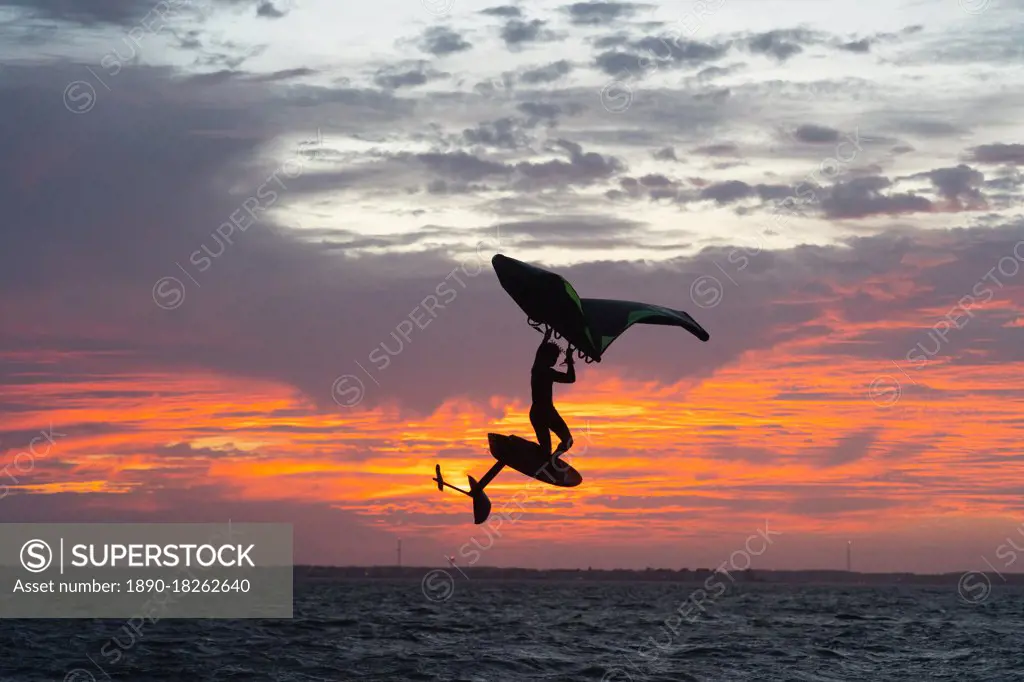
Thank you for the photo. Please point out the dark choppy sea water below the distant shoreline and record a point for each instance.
(492, 631)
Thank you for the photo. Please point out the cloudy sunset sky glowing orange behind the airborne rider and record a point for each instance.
(832, 189)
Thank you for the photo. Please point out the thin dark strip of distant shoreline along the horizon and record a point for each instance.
(318, 574)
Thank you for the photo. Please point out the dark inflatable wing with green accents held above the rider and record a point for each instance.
(589, 324)
